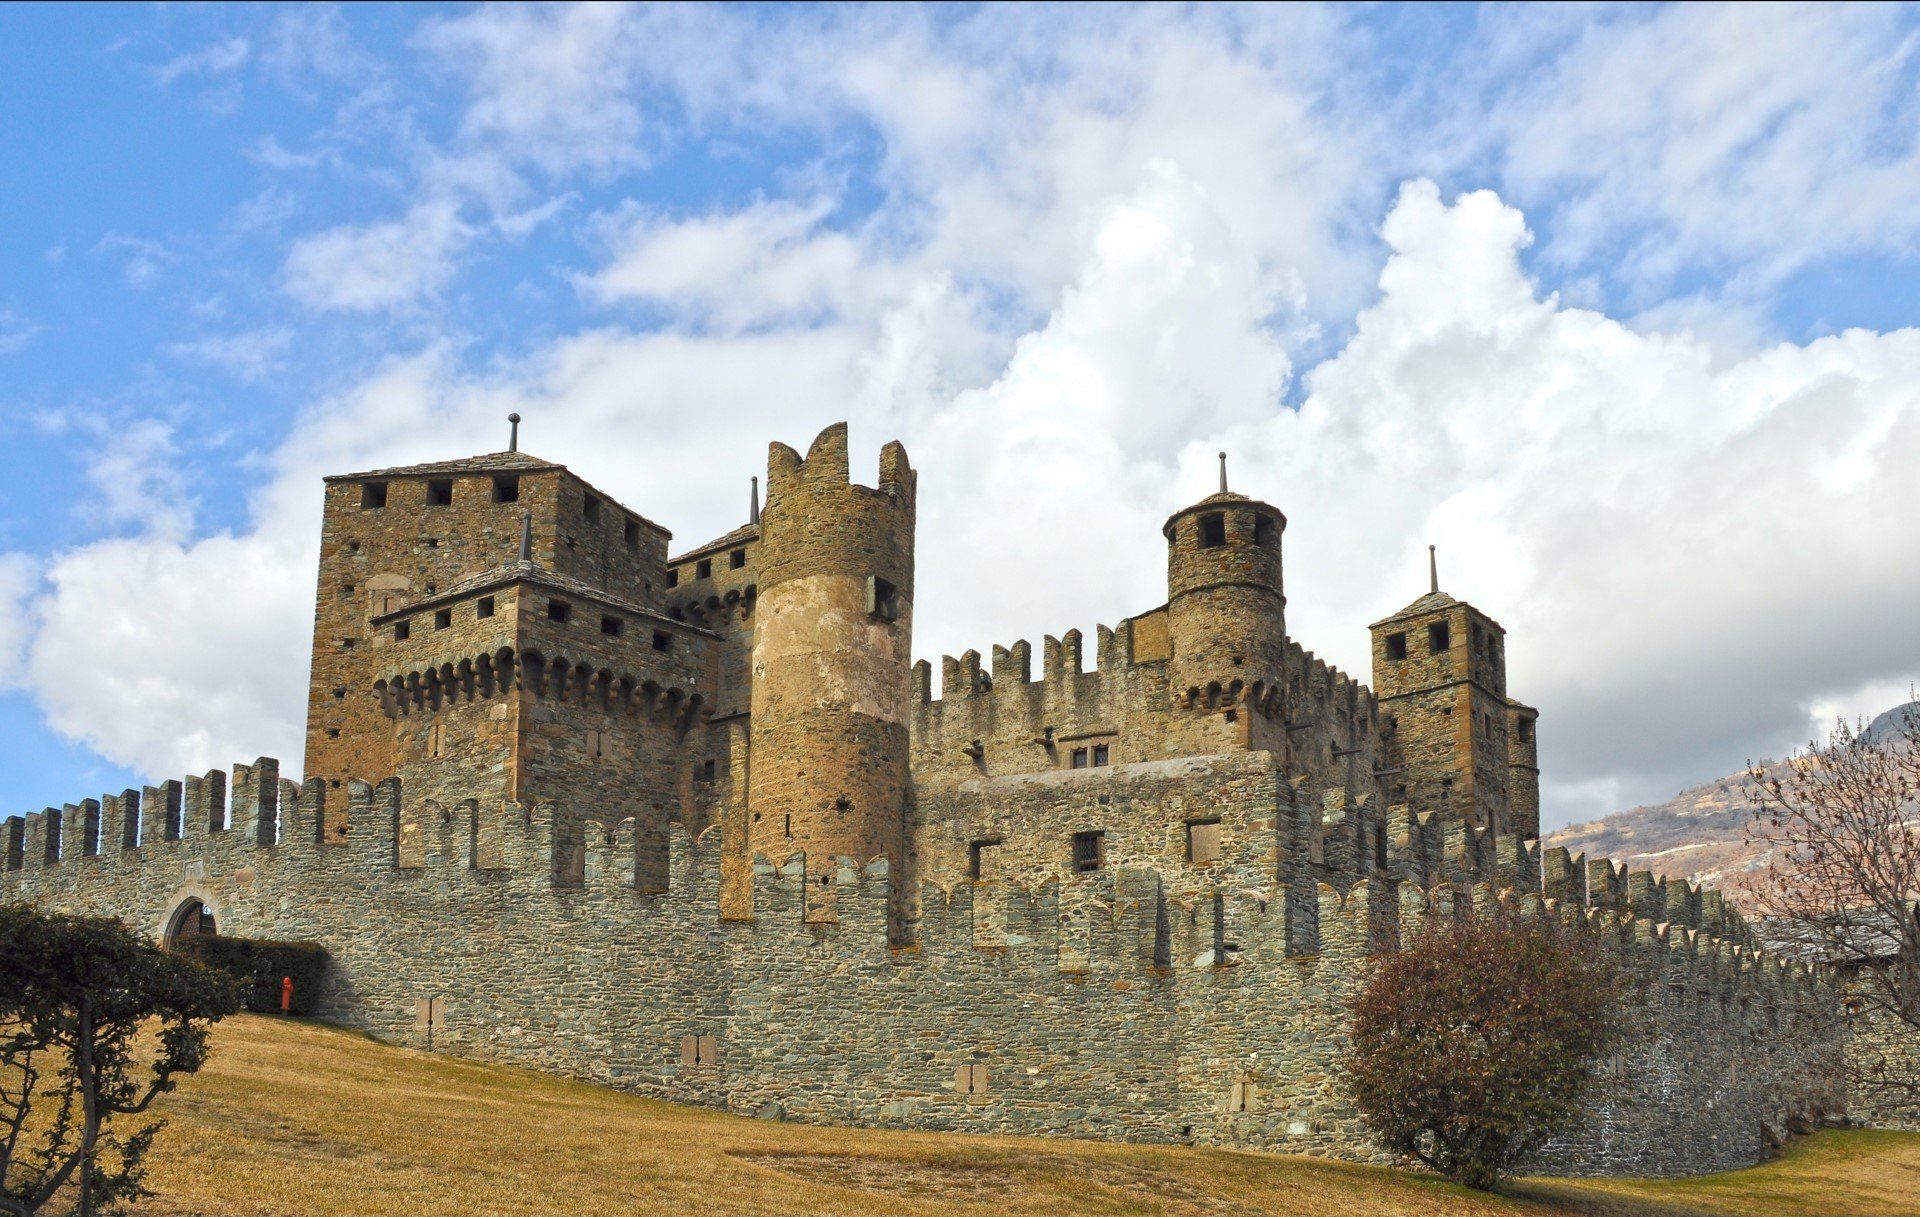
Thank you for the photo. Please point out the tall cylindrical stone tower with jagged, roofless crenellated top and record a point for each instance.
(832, 659)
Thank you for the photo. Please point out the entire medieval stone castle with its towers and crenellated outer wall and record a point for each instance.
(700, 826)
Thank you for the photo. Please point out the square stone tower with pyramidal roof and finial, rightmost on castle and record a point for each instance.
(1441, 677)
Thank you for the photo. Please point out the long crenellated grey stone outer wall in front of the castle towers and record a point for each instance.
(1143, 1003)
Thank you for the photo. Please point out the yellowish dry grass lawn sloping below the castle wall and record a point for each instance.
(295, 1118)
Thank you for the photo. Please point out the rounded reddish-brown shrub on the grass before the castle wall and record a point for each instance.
(1481, 1038)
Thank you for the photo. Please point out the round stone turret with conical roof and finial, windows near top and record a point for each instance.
(1228, 621)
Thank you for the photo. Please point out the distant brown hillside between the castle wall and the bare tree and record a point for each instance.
(1698, 834)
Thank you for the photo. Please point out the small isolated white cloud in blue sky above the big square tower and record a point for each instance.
(377, 268)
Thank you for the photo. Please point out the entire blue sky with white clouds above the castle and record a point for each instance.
(1616, 304)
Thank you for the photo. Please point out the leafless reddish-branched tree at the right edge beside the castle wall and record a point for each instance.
(1842, 828)
